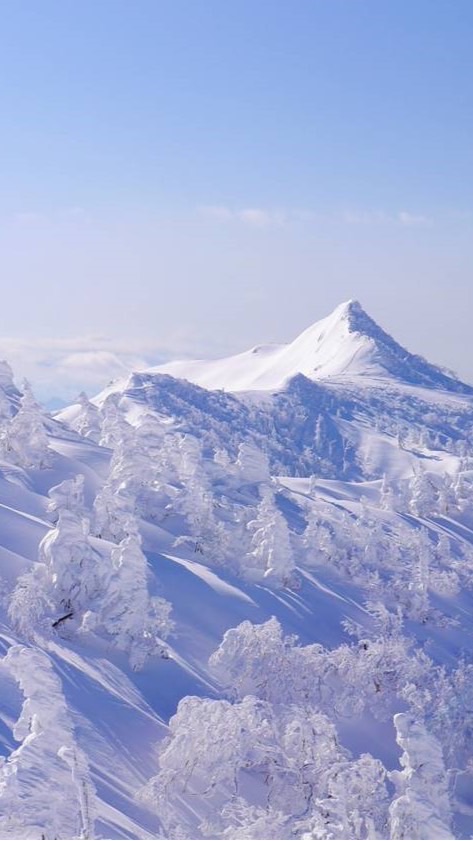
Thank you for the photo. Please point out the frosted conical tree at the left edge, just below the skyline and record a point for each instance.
(24, 439)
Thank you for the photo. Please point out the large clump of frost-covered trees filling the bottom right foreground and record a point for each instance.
(267, 762)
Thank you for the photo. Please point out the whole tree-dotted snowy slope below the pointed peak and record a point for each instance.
(196, 647)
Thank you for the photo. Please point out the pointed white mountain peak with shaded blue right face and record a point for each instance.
(345, 345)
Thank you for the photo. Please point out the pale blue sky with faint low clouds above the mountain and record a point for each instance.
(183, 177)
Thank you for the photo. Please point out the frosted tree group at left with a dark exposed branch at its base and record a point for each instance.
(77, 587)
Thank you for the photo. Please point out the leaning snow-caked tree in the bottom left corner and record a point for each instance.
(45, 786)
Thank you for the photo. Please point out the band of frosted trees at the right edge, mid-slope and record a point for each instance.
(404, 561)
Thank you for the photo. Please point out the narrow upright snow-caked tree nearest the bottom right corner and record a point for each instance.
(421, 808)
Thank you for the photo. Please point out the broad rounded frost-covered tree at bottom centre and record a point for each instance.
(264, 769)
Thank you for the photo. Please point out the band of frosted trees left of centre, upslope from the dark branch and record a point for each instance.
(168, 477)
